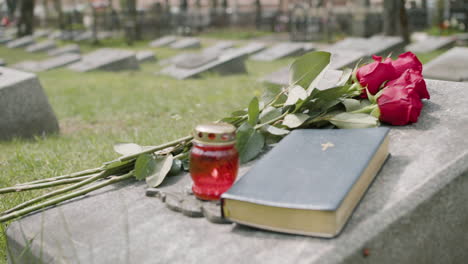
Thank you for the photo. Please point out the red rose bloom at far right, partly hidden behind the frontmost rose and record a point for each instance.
(412, 80)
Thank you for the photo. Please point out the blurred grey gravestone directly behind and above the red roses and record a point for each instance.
(376, 45)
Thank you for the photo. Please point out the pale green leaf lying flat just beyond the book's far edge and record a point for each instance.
(354, 120)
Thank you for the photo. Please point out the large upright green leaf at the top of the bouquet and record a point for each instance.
(307, 67)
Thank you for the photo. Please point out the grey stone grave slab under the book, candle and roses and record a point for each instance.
(414, 212)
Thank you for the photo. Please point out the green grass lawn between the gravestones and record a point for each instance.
(98, 109)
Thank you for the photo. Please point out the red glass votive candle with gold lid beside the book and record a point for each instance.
(214, 160)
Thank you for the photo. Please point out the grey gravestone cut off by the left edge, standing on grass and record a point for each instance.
(24, 108)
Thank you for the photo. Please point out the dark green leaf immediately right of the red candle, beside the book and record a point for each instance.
(250, 142)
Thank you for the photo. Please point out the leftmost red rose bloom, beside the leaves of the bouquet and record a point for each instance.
(373, 75)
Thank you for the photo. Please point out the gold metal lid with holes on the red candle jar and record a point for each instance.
(215, 134)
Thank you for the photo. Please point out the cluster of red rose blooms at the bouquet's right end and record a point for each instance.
(396, 88)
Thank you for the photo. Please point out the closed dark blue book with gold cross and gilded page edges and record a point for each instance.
(310, 183)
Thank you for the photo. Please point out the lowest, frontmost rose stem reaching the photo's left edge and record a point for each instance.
(63, 198)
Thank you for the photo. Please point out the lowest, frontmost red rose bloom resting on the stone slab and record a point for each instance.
(399, 106)
